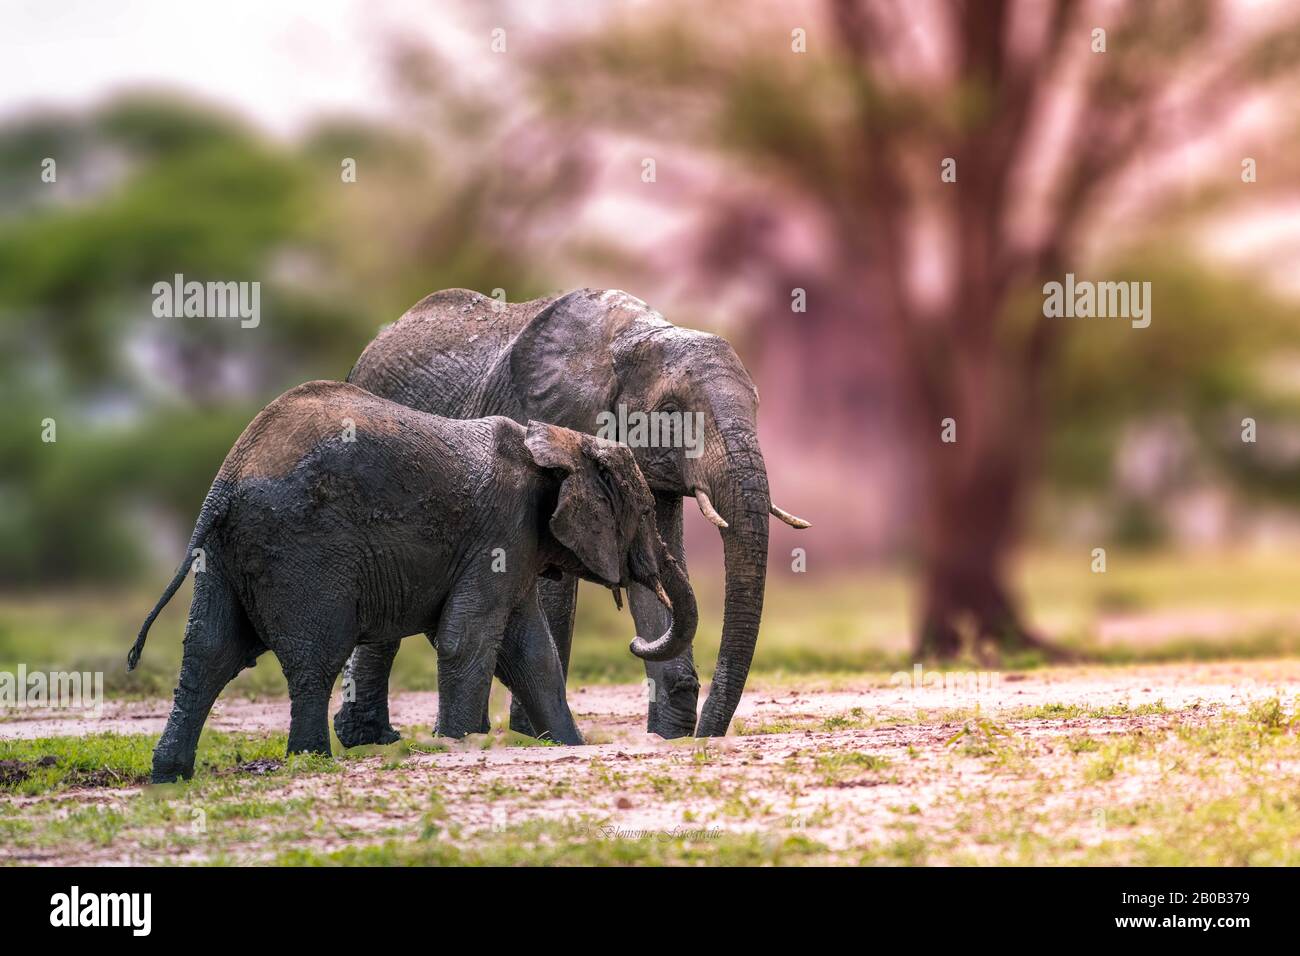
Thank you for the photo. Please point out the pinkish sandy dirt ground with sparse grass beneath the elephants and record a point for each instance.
(1021, 768)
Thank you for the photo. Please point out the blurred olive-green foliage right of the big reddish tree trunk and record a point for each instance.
(1204, 358)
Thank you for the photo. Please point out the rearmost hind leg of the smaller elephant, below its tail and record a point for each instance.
(219, 643)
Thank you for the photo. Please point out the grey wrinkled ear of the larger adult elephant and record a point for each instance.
(561, 364)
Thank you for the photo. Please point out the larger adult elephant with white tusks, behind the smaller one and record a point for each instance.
(566, 361)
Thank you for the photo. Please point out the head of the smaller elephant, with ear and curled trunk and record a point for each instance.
(604, 531)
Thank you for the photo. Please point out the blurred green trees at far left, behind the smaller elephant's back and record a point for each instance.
(151, 185)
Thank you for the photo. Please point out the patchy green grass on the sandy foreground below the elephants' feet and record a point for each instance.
(1219, 791)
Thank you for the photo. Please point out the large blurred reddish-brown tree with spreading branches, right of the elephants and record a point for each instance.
(825, 171)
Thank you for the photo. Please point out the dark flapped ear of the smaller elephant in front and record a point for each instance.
(584, 520)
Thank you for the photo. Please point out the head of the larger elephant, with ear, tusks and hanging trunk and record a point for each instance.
(593, 360)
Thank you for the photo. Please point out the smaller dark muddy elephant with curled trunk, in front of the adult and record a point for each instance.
(340, 518)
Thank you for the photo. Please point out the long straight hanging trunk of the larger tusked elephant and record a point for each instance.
(739, 482)
